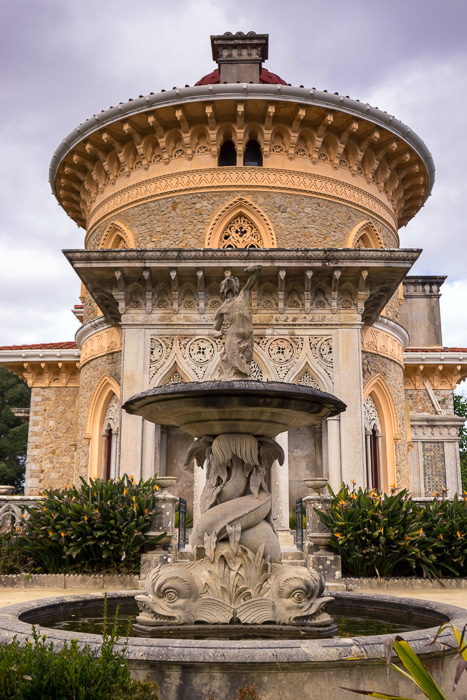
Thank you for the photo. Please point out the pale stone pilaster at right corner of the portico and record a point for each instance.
(348, 386)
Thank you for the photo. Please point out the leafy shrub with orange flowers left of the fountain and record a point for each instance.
(98, 526)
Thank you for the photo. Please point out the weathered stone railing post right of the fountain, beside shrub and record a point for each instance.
(318, 557)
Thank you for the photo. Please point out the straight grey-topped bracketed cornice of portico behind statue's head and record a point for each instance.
(354, 284)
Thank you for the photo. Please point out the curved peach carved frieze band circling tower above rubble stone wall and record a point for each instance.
(247, 179)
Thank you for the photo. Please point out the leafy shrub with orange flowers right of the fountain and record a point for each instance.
(381, 534)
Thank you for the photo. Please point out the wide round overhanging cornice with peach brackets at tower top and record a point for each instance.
(161, 133)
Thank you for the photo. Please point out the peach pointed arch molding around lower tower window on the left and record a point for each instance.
(105, 389)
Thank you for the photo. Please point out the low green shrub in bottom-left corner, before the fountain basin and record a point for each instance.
(38, 672)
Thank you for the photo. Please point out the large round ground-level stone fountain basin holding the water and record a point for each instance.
(286, 669)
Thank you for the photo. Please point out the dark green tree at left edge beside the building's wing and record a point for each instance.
(14, 393)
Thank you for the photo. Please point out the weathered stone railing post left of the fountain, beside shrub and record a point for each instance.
(164, 551)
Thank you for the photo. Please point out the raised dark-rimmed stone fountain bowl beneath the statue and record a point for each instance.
(253, 407)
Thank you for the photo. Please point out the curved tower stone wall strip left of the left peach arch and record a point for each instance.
(91, 373)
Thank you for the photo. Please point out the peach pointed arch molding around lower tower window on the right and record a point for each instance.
(379, 391)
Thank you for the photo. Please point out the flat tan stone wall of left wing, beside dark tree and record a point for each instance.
(52, 438)
